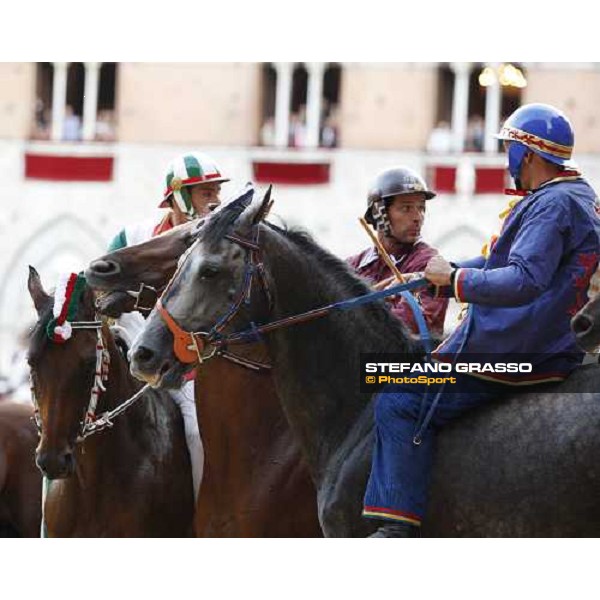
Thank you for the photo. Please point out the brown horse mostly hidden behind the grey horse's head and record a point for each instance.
(255, 480)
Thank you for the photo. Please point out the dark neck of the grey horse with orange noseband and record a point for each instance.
(317, 363)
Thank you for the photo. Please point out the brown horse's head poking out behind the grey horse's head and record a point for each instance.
(128, 273)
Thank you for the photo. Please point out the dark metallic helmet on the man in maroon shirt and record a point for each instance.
(389, 183)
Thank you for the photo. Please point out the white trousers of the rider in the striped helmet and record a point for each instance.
(128, 327)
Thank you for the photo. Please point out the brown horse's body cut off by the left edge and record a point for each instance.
(20, 479)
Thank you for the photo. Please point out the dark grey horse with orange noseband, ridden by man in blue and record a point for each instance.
(526, 466)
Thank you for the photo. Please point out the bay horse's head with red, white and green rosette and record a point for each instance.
(63, 369)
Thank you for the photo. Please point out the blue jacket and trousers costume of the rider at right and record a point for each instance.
(522, 297)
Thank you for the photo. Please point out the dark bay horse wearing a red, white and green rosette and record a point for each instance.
(132, 480)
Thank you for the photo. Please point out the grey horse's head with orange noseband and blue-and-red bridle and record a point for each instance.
(209, 289)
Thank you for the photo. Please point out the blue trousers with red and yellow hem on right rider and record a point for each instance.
(400, 472)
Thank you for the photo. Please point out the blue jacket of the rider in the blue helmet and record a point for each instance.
(522, 297)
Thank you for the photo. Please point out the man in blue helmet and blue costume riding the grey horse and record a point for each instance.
(521, 298)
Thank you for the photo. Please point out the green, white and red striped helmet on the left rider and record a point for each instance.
(185, 170)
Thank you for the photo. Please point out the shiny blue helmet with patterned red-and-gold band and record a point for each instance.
(542, 129)
